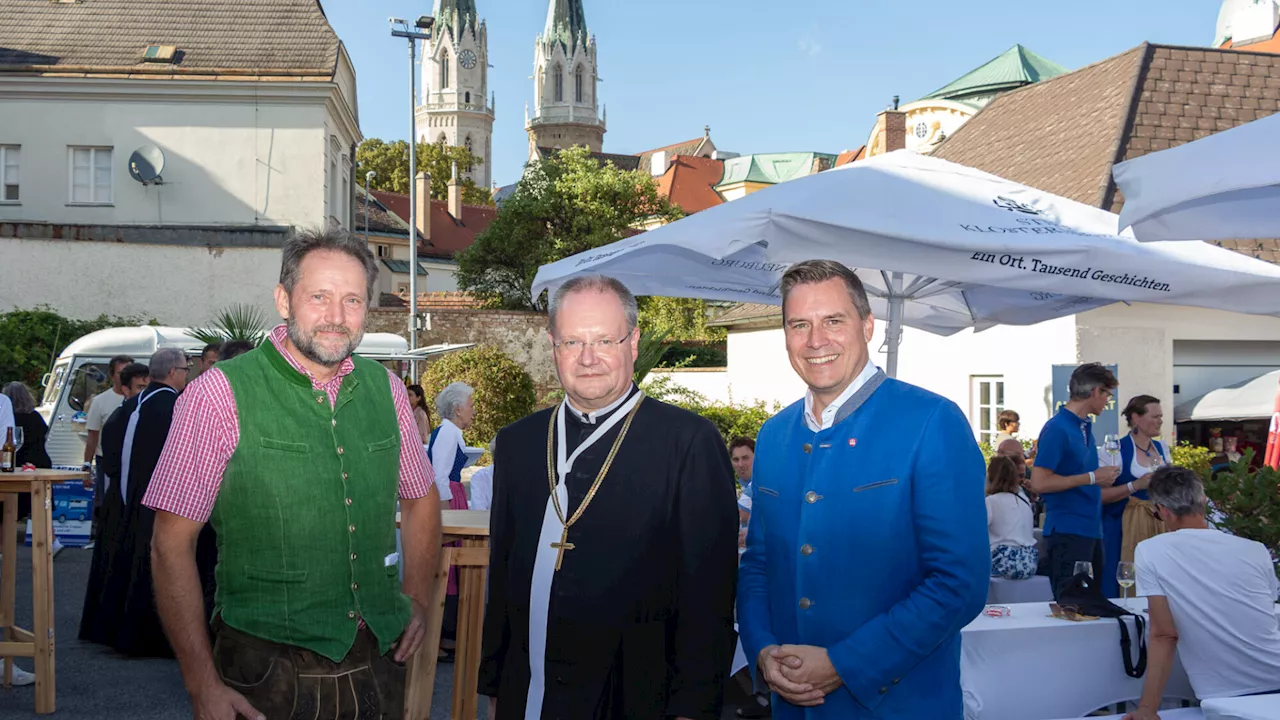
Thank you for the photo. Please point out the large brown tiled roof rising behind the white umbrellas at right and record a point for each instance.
(1064, 135)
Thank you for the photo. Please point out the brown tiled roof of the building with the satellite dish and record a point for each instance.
(221, 38)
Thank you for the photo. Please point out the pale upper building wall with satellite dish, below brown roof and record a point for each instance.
(226, 163)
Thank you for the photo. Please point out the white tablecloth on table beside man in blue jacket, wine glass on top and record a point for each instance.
(1032, 667)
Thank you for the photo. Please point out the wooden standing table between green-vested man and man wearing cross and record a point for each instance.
(470, 530)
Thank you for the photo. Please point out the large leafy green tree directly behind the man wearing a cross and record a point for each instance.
(565, 204)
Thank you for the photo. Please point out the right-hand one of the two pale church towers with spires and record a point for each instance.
(566, 112)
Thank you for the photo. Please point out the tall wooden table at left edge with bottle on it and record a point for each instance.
(17, 642)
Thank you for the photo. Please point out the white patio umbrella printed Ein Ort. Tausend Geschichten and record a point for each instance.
(940, 247)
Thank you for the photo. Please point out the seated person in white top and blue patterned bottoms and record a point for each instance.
(1009, 523)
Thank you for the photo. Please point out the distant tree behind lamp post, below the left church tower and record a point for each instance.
(390, 161)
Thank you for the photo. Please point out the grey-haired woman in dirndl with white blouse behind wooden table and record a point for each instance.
(446, 450)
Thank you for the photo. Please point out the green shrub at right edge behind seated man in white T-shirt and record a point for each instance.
(1249, 503)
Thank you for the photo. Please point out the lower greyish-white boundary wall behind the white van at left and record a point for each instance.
(179, 286)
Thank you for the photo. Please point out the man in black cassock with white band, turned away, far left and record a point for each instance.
(120, 601)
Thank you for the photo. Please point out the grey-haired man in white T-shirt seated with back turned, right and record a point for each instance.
(1212, 599)
